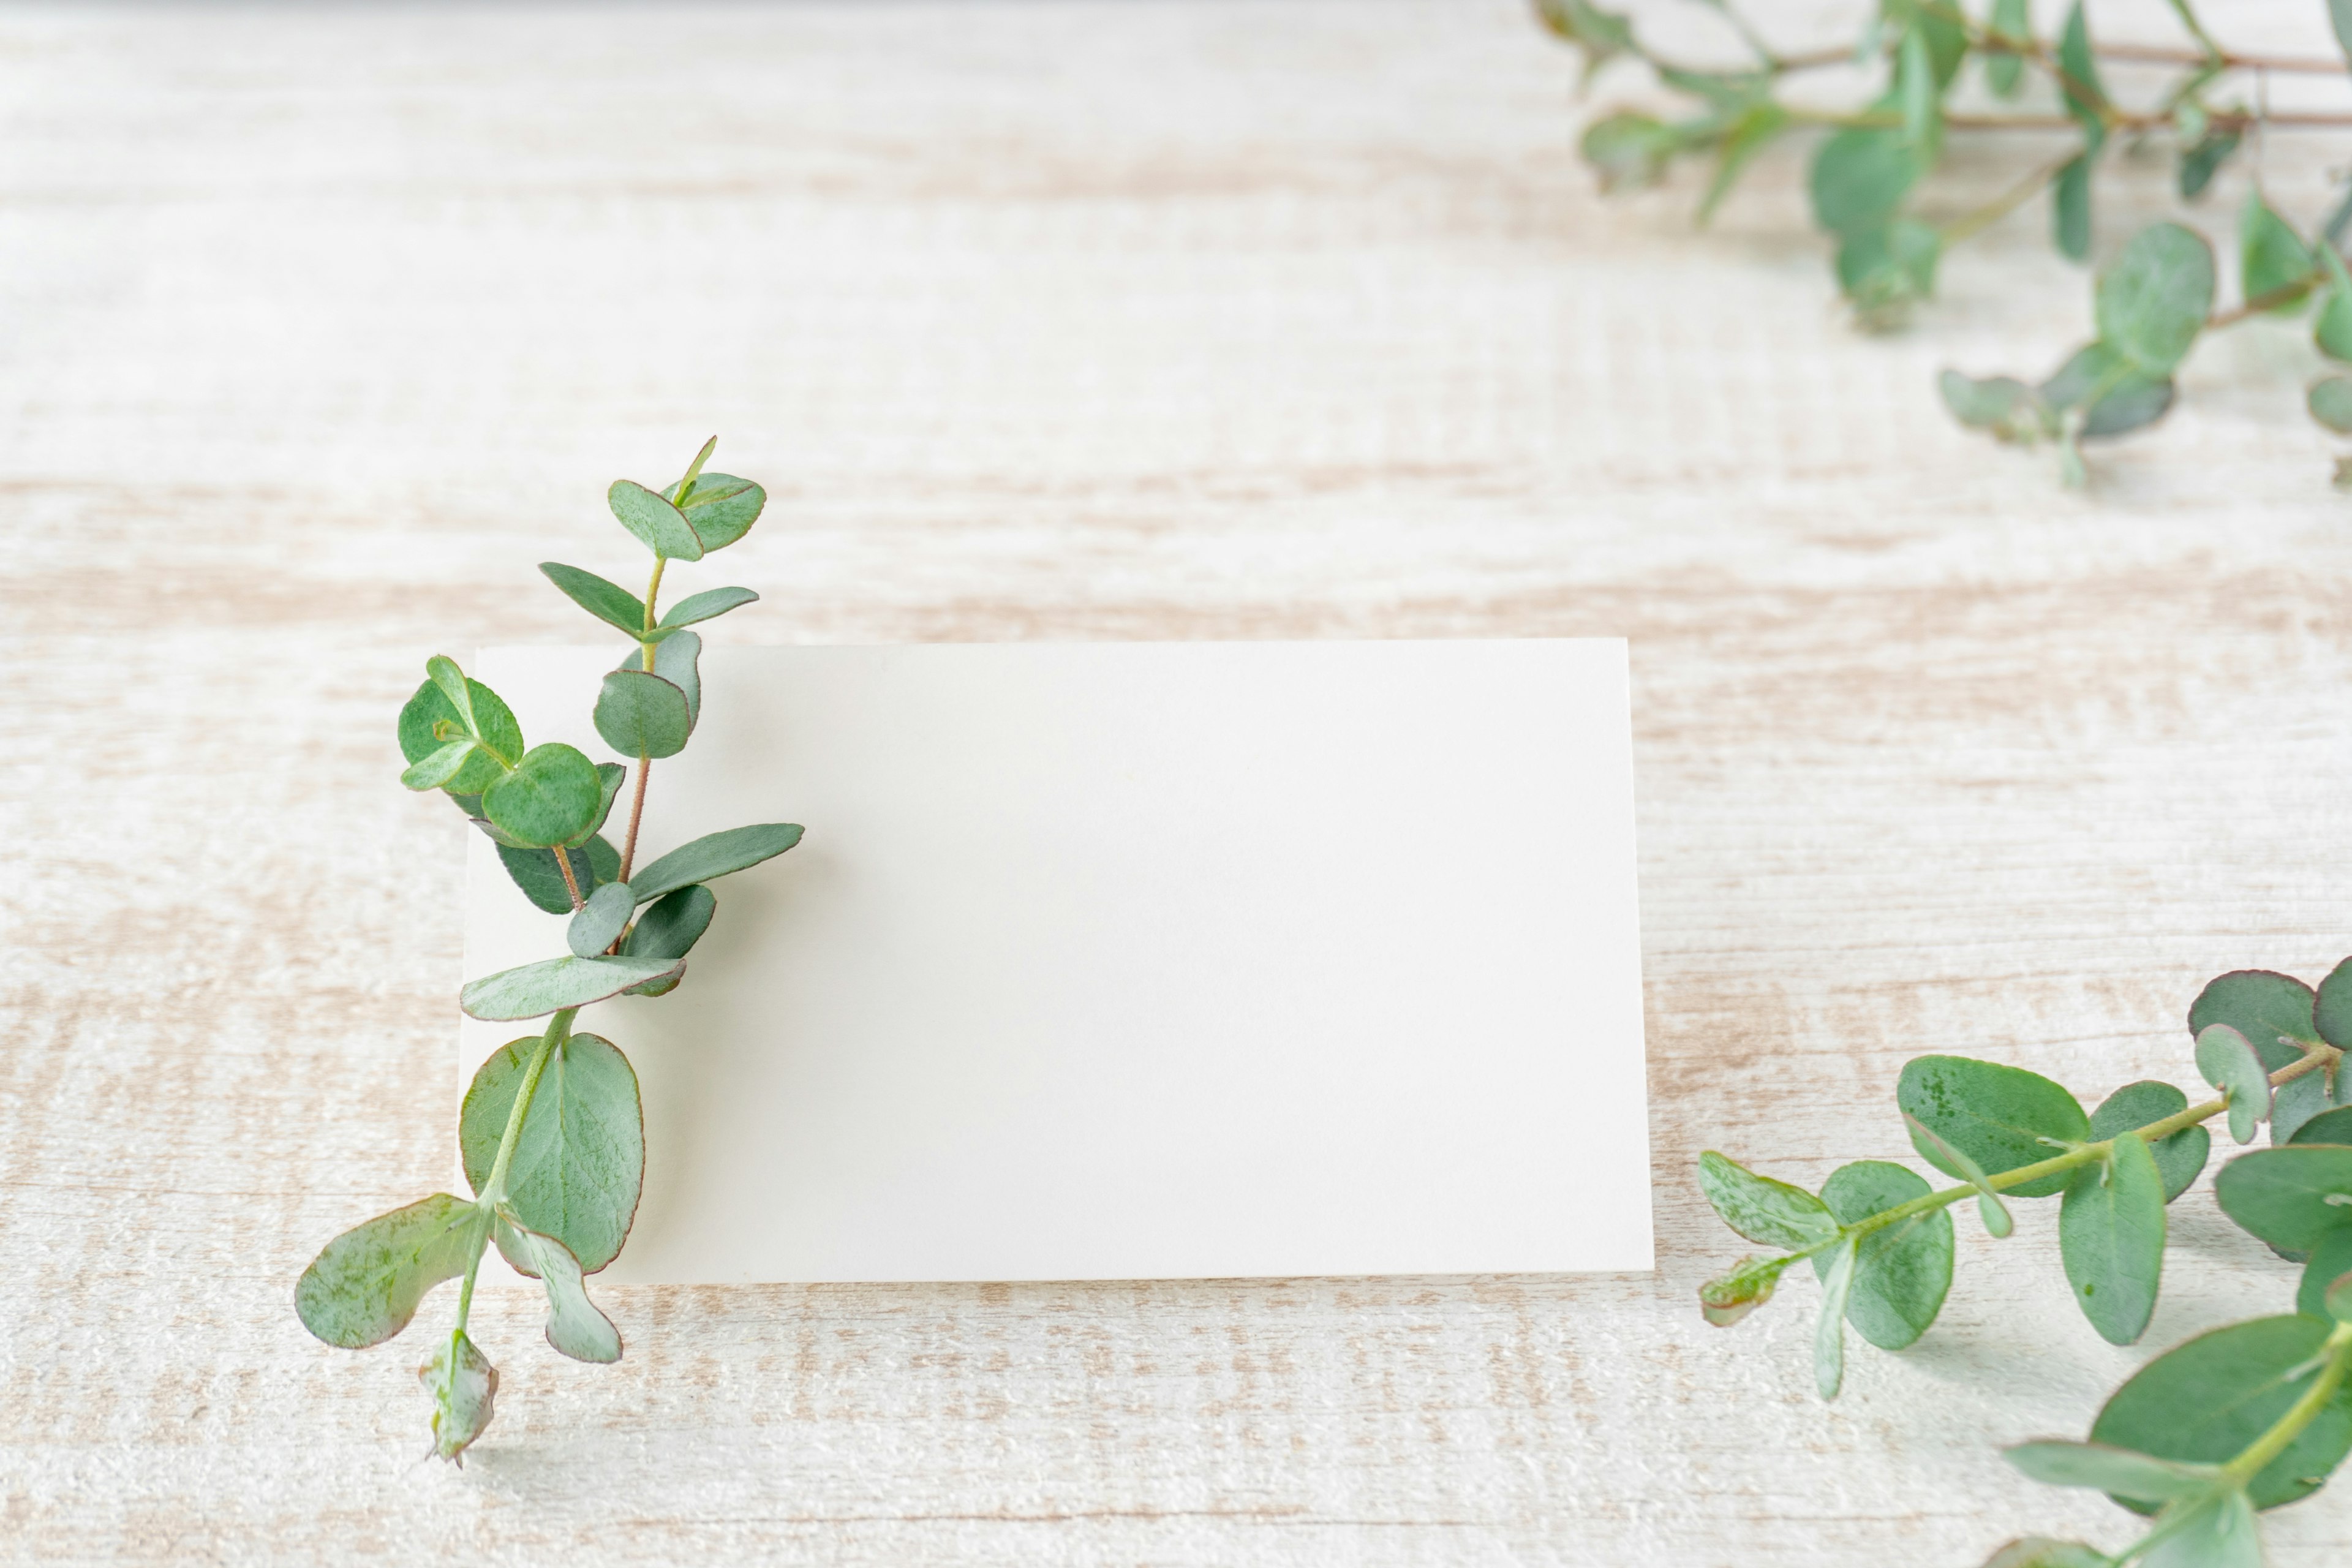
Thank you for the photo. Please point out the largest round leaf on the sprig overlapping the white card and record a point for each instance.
(580, 1158)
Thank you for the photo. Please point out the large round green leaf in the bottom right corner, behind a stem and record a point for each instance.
(2210, 1400)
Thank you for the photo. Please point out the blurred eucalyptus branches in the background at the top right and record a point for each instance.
(2151, 307)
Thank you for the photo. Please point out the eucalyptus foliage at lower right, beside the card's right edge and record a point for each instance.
(2207, 1435)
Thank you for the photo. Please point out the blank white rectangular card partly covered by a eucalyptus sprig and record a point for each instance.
(1132, 963)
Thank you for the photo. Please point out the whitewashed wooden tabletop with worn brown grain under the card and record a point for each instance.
(1083, 321)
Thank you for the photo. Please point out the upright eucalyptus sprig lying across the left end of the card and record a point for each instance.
(552, 1130)
